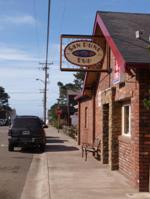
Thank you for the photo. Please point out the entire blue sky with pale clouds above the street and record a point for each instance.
(23, 26)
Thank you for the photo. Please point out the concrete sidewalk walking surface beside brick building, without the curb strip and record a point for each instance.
(70, 177)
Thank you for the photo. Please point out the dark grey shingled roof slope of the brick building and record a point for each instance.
(122, 27)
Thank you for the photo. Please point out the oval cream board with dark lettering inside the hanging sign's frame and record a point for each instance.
(83, 53)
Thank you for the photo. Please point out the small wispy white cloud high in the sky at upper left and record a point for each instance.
(18, 20)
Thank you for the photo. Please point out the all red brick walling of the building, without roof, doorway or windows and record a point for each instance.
(131, 155)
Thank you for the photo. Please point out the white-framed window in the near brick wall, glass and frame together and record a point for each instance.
(126, 120)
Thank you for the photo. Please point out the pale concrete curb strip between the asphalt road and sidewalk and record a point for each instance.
(37, 183)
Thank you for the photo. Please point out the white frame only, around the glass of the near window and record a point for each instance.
(123, 120)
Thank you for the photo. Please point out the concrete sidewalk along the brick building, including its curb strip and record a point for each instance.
(61, 173)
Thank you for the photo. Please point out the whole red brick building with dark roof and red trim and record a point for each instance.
(111, 105)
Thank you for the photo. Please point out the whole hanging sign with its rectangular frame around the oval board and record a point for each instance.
(82, 53)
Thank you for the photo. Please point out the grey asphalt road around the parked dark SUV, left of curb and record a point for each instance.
(14, 167)
